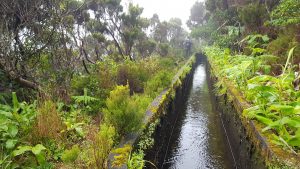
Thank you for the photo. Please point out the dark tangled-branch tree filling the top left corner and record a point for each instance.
(27, 28)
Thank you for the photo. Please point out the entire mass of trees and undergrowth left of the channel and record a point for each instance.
(83, 76)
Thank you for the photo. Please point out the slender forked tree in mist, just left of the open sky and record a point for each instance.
(110, 21)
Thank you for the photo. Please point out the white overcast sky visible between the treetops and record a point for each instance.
(165, 9)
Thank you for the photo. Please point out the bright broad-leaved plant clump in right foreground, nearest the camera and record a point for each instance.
(277, 103)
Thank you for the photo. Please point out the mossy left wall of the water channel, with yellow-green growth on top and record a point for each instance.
(143, 140)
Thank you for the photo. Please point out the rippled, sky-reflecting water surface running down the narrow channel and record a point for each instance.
(197, 141)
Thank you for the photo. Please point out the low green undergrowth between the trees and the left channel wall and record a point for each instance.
(78, 133)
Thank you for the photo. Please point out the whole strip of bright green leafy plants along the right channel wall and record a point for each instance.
(275, 100)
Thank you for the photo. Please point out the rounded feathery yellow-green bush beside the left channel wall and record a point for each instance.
(122, 111)
